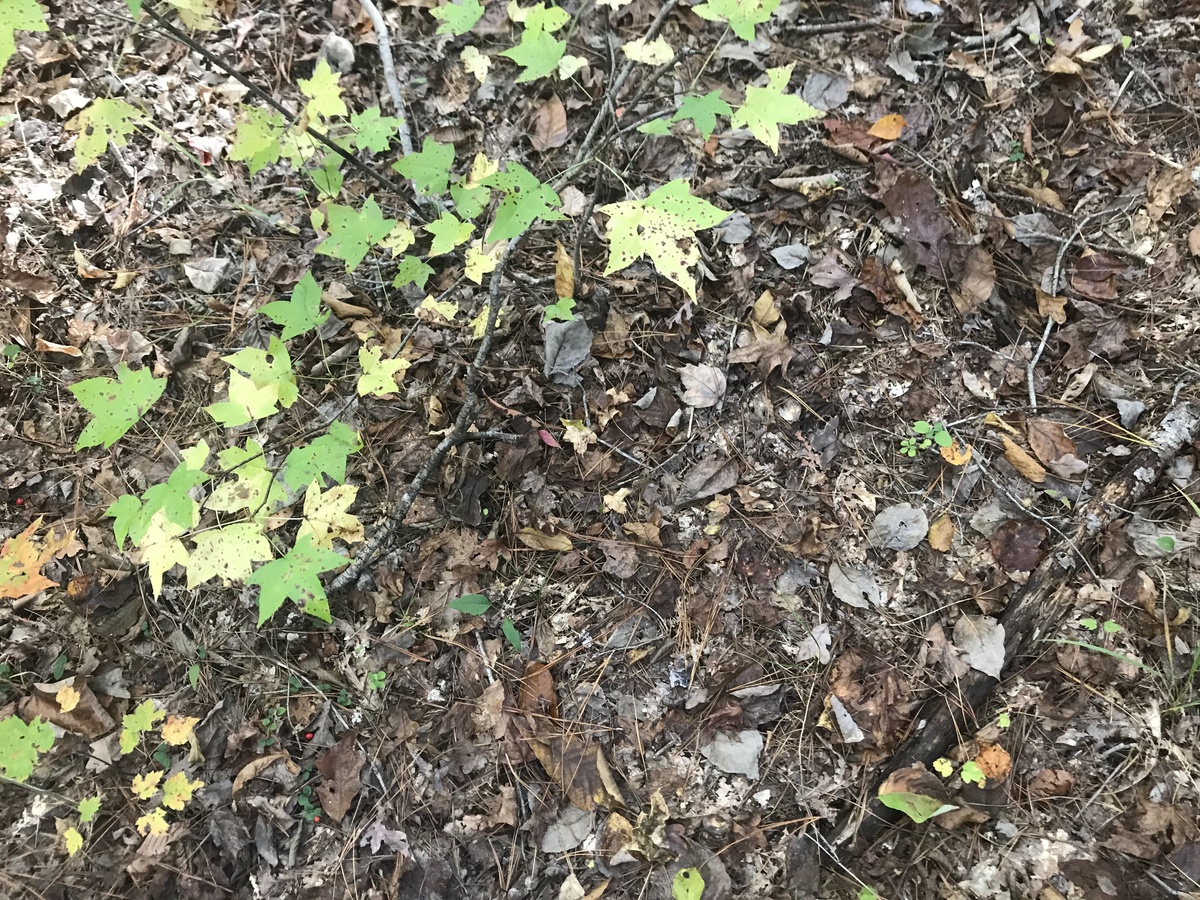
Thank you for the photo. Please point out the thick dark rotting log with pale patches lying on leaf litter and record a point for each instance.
(1034, 615)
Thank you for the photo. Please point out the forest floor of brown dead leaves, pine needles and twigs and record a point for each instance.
(704, 598)
